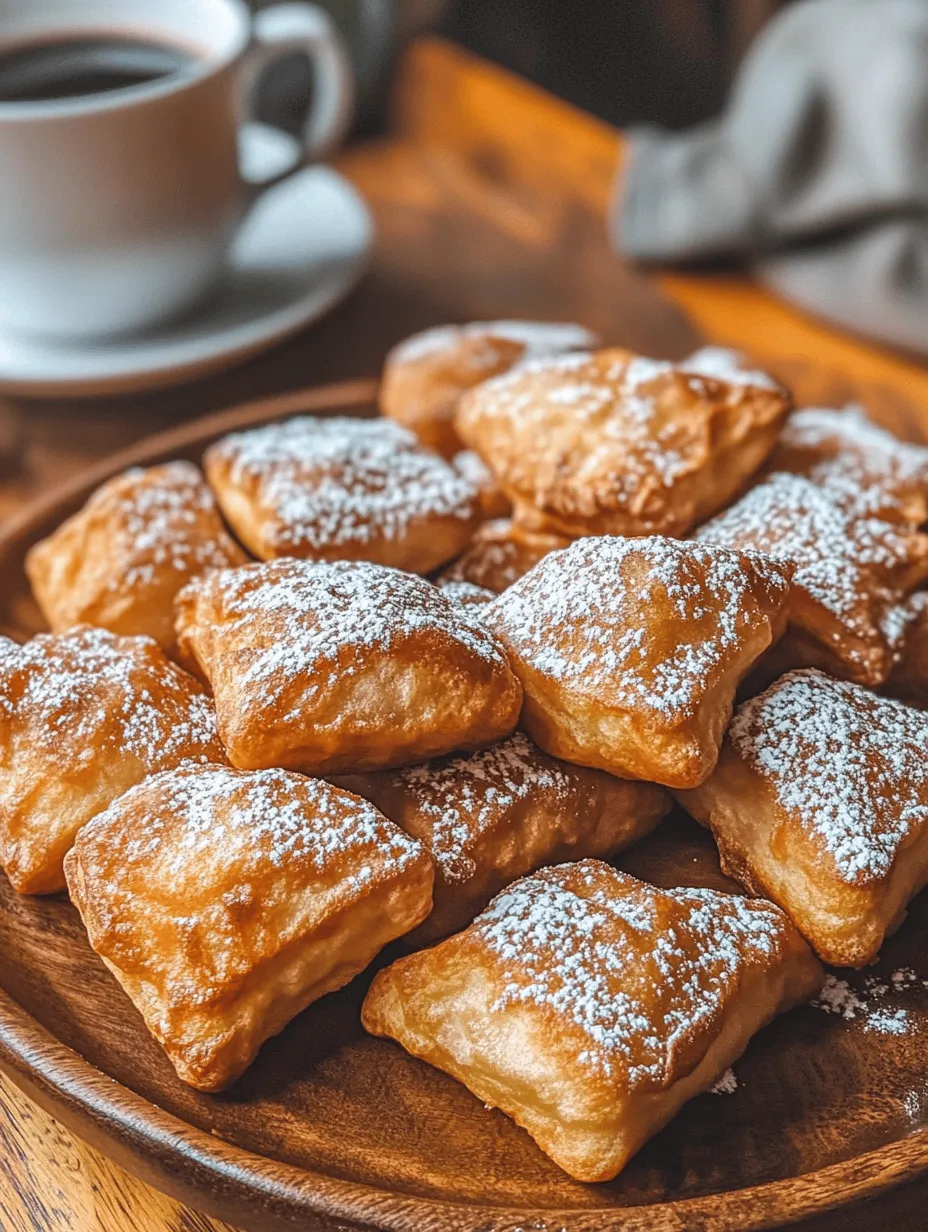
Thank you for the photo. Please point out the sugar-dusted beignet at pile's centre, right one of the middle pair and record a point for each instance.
(630, 651)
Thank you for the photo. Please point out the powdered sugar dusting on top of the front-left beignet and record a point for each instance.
(250, 821)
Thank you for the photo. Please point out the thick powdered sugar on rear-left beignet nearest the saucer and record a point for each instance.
(331, 484)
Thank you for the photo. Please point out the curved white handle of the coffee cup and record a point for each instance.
(282, 30)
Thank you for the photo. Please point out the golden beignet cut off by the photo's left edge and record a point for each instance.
(84, 716)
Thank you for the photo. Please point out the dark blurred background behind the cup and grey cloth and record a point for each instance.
(667, 62)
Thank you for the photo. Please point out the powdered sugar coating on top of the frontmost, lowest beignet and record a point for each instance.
(634, 969)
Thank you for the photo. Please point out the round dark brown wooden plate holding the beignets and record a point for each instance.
(333, 1130)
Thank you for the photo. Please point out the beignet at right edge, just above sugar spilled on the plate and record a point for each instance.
(820, 803)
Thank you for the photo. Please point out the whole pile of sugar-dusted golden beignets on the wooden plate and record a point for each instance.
(454, 667)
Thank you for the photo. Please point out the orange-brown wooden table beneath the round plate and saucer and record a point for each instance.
(490, 200)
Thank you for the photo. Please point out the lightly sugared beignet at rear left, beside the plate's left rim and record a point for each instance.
(120, 562)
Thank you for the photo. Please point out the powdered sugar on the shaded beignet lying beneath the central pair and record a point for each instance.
(463, 798)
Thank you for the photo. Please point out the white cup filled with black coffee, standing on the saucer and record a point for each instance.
(120, 124)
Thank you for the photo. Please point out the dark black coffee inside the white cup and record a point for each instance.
(76, 68)
